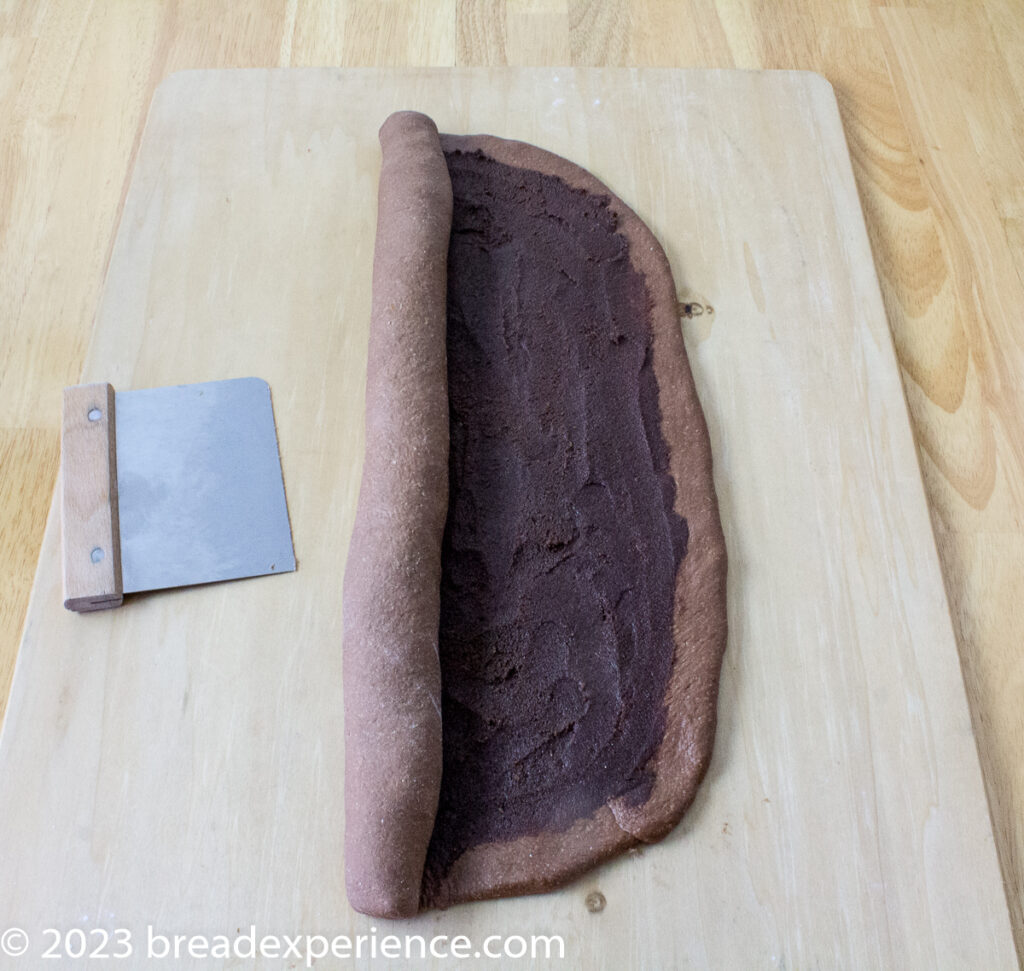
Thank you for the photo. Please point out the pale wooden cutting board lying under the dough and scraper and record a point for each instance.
(179, 763)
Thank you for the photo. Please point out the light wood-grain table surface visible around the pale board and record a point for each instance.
(932, 97)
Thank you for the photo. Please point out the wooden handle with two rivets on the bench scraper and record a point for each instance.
(91, 531)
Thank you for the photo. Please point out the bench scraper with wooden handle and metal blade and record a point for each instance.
(169, 487)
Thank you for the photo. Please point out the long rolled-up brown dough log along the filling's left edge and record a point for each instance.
(393, 577)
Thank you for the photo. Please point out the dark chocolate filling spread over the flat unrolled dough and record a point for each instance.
(562, 545)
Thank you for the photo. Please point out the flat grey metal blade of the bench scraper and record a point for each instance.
(200, 491)
